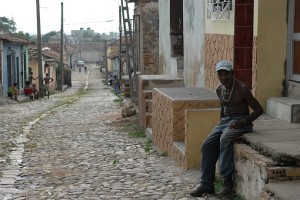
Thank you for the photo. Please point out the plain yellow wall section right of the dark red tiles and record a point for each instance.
(271, 47)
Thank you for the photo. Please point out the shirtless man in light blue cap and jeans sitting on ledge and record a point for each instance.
(235, 99)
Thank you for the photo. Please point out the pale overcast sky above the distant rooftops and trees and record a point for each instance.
(99, 15)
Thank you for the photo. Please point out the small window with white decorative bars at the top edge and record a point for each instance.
(219, 9)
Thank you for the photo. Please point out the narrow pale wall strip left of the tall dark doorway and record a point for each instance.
(164, 38)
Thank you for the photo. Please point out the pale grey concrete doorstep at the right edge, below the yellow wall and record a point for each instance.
(284, 108)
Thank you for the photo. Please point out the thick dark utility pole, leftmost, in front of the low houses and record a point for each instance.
(39, 47)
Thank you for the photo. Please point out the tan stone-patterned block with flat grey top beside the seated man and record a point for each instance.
(168, 117)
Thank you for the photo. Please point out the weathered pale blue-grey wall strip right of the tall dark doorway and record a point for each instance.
(194, 43)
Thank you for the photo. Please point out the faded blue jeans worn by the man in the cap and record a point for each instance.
(219, 144)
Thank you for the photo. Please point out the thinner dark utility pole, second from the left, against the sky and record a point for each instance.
(62, 49)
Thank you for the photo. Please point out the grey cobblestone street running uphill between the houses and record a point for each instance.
(67, 147)
